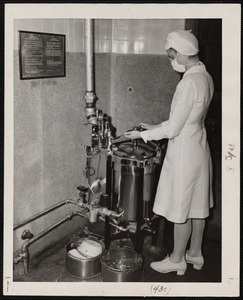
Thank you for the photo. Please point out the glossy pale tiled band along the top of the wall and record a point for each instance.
(134, 36)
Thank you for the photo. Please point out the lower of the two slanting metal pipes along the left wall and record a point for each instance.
(25, 257)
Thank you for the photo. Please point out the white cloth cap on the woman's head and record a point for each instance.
(182, 41)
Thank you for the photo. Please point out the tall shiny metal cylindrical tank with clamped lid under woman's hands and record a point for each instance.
(134, 178)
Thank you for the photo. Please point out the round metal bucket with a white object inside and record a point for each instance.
(82, 268)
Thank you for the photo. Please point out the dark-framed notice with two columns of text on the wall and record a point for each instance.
(41, 55)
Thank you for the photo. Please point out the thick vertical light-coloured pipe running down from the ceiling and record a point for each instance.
(90, 97)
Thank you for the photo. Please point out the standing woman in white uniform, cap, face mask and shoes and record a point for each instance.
(184, 193)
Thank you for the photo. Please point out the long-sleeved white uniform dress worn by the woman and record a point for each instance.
(185, 186)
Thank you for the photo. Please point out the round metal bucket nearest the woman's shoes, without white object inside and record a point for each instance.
(121, 265)
